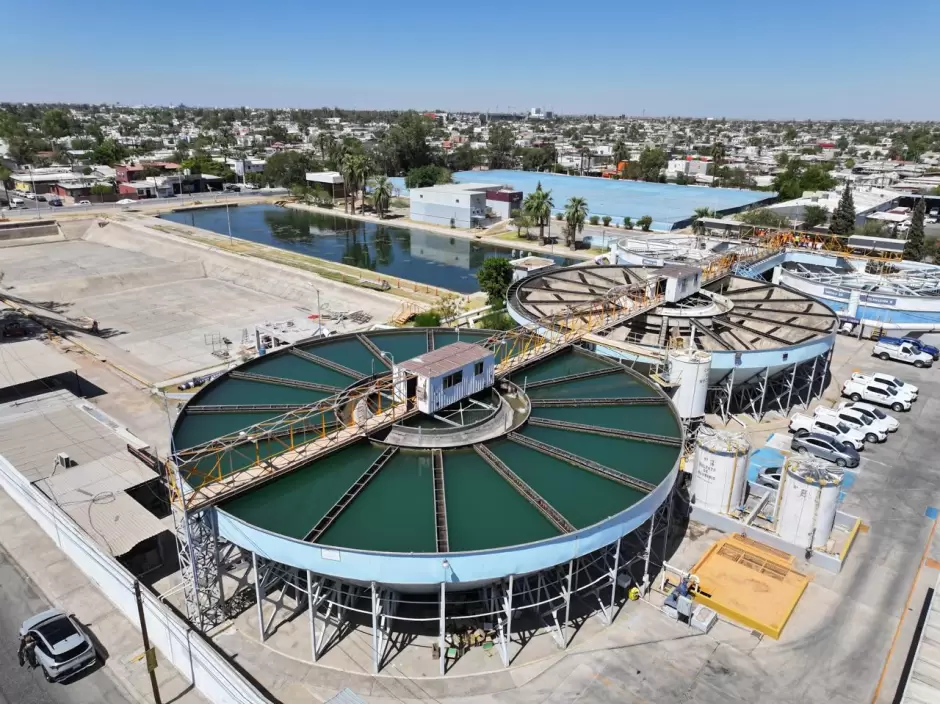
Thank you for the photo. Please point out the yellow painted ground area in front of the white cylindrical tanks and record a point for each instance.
(750, 583)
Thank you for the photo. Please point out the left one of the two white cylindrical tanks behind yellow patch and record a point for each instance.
(720, 470)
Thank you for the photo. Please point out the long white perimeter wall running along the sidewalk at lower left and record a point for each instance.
(190, 653)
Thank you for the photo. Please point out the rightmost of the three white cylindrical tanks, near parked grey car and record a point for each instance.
(809, 494)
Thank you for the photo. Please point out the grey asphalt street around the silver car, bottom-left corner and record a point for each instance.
(18, 600)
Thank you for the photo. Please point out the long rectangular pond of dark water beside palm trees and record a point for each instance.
(393, 250)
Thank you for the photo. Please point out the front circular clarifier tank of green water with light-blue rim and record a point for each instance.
(563, 457)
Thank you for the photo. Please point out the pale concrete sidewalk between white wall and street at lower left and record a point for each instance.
(63, 584)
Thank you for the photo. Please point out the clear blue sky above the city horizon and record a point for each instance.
(737, 58)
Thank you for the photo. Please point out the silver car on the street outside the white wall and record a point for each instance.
(62, 647)
